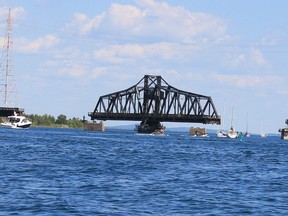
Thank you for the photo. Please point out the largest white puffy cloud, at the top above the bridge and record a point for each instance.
(152, 19)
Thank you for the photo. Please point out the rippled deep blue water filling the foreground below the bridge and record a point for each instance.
(117, 172)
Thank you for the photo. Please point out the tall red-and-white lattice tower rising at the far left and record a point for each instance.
(8, 85)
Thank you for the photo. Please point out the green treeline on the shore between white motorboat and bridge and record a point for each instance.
(50, 121)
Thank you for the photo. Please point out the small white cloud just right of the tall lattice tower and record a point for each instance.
(46, 42)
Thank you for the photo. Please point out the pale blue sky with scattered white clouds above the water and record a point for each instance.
(68, 53)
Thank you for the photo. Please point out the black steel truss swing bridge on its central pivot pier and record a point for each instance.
(152, 100)
